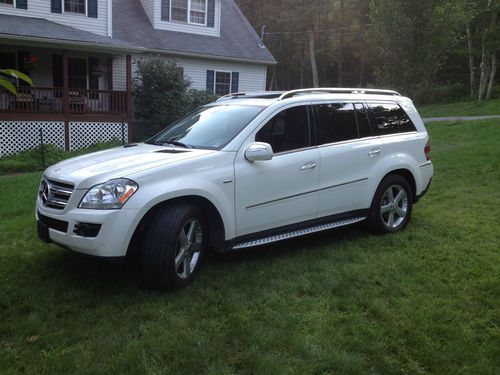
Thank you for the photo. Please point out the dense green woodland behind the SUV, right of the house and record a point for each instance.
(417, 47)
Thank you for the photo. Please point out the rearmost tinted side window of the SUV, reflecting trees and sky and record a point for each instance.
(390, 118)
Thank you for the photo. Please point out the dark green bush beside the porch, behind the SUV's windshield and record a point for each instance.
(162, 96)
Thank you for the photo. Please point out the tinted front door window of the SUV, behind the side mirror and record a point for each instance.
(288, 130)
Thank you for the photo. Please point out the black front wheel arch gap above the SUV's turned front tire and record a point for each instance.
(213, 218)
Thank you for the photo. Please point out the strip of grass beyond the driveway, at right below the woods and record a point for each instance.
(471, 108)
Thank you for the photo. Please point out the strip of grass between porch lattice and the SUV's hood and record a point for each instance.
(31, 160)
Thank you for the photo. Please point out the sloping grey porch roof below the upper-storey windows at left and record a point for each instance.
(40, 30)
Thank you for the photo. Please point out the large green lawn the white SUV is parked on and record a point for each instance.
(425, 300)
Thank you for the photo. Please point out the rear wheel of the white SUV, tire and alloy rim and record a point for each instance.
(392, 205)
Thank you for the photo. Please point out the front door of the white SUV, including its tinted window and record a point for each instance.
(283, 190)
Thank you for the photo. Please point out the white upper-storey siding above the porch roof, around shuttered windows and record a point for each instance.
(41, 9)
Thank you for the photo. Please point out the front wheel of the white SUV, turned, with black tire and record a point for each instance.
(174, 246)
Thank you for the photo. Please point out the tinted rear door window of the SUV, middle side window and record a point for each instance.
(336, 122)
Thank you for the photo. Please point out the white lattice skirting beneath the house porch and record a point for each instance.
(17, 136)
